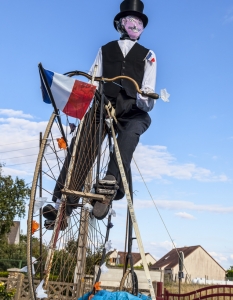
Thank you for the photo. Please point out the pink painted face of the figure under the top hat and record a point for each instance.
(133, 26)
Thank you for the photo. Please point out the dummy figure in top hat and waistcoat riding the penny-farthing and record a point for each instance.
(124, 57)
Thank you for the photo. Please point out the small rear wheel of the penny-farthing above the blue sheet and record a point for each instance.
(129, 282)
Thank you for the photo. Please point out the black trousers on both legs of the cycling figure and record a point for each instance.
(132, 123)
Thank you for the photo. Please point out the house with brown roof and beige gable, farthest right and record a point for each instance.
(198, 263)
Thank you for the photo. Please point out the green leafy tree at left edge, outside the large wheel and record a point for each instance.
(12, 201)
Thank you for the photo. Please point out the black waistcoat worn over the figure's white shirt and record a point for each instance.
(115, 64)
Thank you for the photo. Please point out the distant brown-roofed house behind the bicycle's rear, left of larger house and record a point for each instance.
(118, 257)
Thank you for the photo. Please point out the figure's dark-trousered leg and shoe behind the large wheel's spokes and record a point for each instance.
(86, 153)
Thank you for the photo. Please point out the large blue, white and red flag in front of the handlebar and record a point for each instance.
(71, 96)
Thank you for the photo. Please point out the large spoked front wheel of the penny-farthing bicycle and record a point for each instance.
(67, 250)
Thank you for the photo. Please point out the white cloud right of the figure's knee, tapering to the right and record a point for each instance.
(155, 162)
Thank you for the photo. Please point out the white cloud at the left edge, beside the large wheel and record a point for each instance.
(19, 143)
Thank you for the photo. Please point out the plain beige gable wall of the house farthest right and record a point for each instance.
(200, 264)
